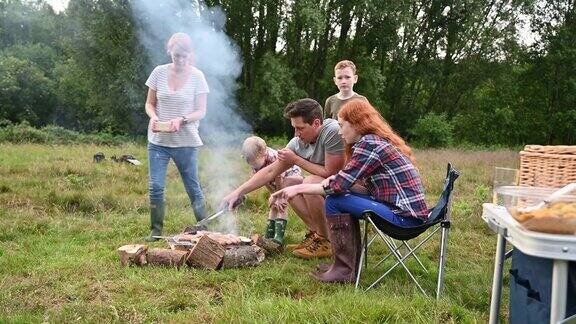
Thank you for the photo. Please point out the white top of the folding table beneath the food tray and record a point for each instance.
(543, 245)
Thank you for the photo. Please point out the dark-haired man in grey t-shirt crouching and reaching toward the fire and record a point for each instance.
(317, 148)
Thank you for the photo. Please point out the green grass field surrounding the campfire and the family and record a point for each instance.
(62, 218)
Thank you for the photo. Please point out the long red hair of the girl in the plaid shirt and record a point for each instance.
(367, 120)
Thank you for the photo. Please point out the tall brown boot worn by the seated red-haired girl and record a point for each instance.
(345, 239)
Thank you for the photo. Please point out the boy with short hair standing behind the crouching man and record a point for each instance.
(344, 77)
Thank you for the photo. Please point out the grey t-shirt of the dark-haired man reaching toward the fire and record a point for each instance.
(329, 141)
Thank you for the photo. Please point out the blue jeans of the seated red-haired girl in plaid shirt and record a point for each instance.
(355, 204)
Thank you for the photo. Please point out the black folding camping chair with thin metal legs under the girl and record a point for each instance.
(388, 232)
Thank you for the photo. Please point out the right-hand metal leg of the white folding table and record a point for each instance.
(559, 287)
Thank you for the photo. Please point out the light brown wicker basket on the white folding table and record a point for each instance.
(547, 166)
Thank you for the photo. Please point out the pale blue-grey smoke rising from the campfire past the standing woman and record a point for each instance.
(218, 57)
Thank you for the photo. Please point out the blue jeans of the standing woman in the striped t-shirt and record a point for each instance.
(186, 160)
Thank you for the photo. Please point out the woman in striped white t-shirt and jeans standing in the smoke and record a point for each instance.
(176, 102)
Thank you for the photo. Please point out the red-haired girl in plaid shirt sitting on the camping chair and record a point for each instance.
(379, 175)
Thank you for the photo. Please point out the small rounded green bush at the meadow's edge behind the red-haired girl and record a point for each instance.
(433, 130)
